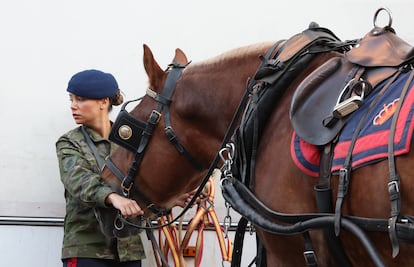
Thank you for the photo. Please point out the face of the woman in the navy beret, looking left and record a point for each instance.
(84, 110)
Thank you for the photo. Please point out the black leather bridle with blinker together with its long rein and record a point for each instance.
(134, 135)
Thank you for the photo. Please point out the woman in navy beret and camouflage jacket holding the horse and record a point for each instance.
(81, 153)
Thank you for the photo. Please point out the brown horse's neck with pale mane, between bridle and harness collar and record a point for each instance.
(209, 93)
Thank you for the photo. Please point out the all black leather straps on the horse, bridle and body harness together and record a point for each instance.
(279, 70)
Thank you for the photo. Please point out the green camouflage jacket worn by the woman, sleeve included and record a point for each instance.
(84, 190)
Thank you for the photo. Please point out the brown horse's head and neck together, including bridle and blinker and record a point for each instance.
(181, 119)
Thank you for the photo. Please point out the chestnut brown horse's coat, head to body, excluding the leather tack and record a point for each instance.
(203, 102)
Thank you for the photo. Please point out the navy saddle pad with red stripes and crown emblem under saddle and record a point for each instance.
(372, 143)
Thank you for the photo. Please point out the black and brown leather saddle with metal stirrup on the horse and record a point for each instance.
(324, 99)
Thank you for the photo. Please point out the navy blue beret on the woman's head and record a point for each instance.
(93, 84)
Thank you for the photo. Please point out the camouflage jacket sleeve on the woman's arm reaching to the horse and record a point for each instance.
(79, 177)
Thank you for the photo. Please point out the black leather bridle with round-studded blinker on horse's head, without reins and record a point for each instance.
(134, 135)
